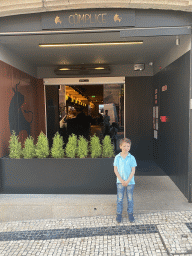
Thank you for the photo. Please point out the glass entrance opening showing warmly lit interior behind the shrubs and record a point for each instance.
(86, 110)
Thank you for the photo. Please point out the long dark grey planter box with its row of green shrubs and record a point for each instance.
(82, 170)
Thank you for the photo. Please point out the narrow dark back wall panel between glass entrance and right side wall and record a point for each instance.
(139, 115)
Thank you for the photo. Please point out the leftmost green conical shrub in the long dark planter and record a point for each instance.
(15, 149)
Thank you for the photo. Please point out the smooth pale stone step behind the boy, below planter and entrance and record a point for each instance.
(151, 194)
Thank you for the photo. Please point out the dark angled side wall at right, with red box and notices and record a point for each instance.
(171, 147)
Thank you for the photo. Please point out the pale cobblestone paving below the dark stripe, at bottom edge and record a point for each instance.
(99, 245)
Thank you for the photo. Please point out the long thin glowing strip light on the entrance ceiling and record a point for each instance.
(91, 44)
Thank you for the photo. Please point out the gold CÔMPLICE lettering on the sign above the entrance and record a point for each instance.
(87, 18)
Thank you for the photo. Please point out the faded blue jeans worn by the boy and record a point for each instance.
(120, 195)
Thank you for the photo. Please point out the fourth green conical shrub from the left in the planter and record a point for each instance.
(57, 150)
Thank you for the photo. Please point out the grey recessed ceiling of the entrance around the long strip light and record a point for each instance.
(27, 48)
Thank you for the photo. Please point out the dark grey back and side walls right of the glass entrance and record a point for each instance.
(170, 149)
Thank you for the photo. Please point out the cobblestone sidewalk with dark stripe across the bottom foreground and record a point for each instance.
(161, 233)
